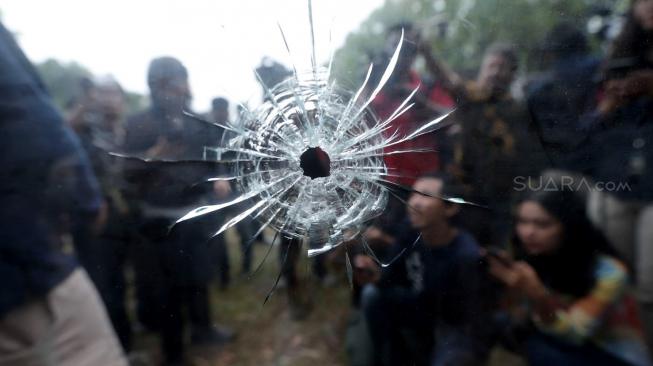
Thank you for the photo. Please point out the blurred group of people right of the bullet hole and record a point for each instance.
(530, 269)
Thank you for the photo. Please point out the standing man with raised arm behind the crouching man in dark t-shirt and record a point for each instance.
(494, 139)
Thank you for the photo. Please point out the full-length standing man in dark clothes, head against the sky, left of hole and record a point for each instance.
(174, 266)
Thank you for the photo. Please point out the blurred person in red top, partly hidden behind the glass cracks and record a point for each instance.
(430, 101)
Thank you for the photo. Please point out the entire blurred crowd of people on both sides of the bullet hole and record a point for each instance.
(528, 224)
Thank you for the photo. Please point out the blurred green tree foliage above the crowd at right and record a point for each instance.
(460, 30)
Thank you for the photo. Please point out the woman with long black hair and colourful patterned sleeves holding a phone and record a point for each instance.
(567, 280)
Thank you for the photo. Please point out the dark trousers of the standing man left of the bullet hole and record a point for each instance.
(173, 269)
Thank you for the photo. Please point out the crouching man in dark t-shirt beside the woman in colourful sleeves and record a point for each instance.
(425, 308)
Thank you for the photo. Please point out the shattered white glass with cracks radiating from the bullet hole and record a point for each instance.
(310, 158)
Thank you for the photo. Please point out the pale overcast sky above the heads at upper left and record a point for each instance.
(219, 41)
